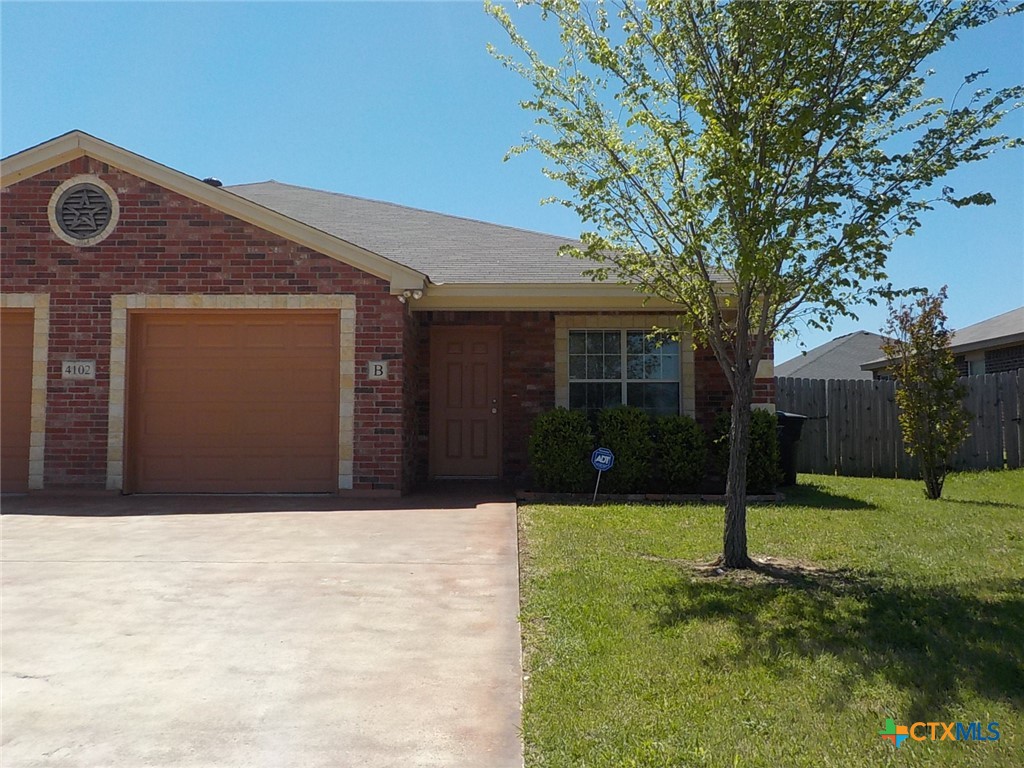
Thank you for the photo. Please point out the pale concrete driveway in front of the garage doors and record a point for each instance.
(145, 631)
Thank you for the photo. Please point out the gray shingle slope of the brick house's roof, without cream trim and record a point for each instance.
(448, 249)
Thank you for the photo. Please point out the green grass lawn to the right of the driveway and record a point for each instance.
(878, 605)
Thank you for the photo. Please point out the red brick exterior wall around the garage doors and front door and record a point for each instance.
(168, 244)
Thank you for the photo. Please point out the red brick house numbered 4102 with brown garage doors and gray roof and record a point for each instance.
(164, 334)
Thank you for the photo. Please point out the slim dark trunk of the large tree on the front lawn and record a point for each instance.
(735, 554)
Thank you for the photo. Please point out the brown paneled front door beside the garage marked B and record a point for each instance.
(465, 407)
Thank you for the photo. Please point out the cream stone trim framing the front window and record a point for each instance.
(566, 323)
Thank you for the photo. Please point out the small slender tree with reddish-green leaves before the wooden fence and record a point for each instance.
(931, 402)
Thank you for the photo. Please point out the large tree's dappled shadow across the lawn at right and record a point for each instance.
(931, 643)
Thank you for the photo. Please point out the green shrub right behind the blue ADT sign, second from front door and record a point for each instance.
(626, 432)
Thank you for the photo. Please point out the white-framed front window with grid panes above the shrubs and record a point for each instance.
(612, 368)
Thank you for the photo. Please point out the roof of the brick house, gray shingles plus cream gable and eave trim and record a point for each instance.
(442, 262)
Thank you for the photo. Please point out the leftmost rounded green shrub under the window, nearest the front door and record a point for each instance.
(561, 445)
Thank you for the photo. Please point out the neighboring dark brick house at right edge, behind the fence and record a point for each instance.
(993, 347)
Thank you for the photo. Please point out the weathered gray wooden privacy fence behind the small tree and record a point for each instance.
(852, 428)
